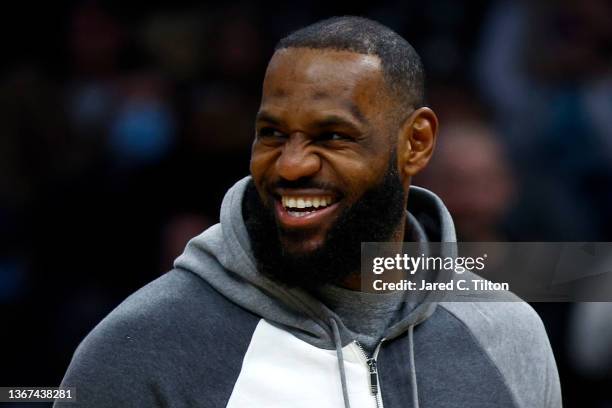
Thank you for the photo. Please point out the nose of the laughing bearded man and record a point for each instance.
(297, 160)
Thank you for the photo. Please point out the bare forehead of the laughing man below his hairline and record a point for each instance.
(312, 76)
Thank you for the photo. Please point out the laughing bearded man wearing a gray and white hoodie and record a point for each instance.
(264, 308)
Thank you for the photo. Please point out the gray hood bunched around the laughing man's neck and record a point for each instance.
(222, 256)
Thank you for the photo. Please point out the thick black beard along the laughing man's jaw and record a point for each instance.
(373, 218)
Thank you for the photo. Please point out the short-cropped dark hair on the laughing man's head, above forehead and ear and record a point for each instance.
(402, 67)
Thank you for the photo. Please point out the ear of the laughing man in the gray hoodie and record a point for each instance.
(416, 142)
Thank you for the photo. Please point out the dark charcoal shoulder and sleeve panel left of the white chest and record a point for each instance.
(175, 342)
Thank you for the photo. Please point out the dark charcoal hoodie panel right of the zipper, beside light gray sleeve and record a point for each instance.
(452, 370)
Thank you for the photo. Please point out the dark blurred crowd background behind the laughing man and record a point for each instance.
(122, 124)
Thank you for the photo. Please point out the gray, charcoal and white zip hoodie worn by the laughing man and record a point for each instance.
(214, 332)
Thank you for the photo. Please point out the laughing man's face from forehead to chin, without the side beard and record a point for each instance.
(322, 141)
